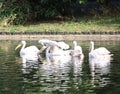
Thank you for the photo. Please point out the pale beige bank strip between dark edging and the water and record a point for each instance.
(82, 37)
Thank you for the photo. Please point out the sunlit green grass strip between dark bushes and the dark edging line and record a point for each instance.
(84, 24)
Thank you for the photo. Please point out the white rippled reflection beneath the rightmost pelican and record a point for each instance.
(99, 67)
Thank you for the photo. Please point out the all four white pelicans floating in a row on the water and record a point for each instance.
(59, 50)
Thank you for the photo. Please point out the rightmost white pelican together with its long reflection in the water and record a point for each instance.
(99, 62)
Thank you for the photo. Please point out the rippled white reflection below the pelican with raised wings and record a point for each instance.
(55, 75)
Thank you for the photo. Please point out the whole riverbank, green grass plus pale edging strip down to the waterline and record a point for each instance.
(85, 28)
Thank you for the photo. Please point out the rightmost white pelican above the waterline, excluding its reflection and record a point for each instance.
(99, 52)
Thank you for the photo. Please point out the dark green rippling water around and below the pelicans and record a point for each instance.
(62, 77)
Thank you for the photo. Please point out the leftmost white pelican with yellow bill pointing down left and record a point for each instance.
(30, 53)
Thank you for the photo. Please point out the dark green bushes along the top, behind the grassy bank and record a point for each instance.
(23, 11)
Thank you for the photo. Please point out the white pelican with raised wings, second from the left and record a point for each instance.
(55, 50)
